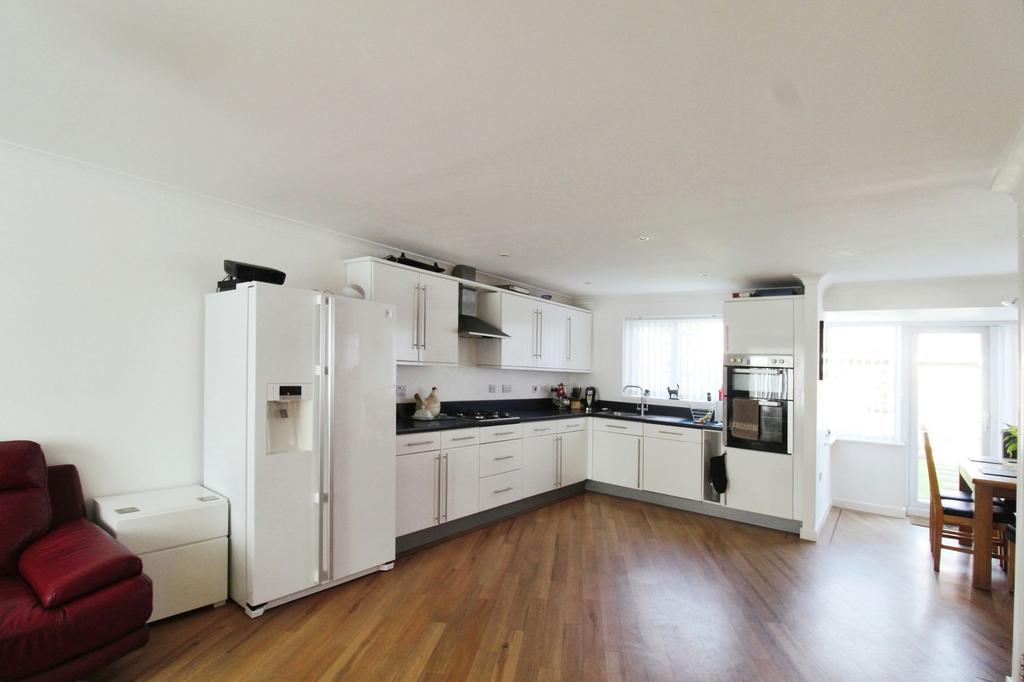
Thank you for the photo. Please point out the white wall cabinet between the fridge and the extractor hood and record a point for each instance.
(426, 309)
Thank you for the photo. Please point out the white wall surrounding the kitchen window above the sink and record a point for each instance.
(611, 313)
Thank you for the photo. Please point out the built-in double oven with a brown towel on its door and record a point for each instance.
(759, 393)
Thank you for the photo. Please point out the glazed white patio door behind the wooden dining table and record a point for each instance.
(951, 399)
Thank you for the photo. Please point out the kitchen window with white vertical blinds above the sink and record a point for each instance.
(664, 353)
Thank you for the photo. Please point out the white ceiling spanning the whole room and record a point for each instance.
(751, 141)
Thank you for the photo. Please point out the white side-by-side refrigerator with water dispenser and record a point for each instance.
(300, 437)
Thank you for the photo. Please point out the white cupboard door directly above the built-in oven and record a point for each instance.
(759, 326)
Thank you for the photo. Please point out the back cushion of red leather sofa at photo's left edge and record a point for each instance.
(25, 503)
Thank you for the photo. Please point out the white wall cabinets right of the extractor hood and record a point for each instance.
(542, 335)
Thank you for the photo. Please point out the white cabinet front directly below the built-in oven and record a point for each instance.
(760, 483)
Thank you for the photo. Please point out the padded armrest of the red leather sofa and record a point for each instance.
(73, 561)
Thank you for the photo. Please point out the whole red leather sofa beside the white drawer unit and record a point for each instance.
(72, 599)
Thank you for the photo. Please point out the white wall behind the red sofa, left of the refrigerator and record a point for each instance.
(104, 277)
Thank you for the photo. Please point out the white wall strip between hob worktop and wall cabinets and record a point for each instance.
(468, 382)
